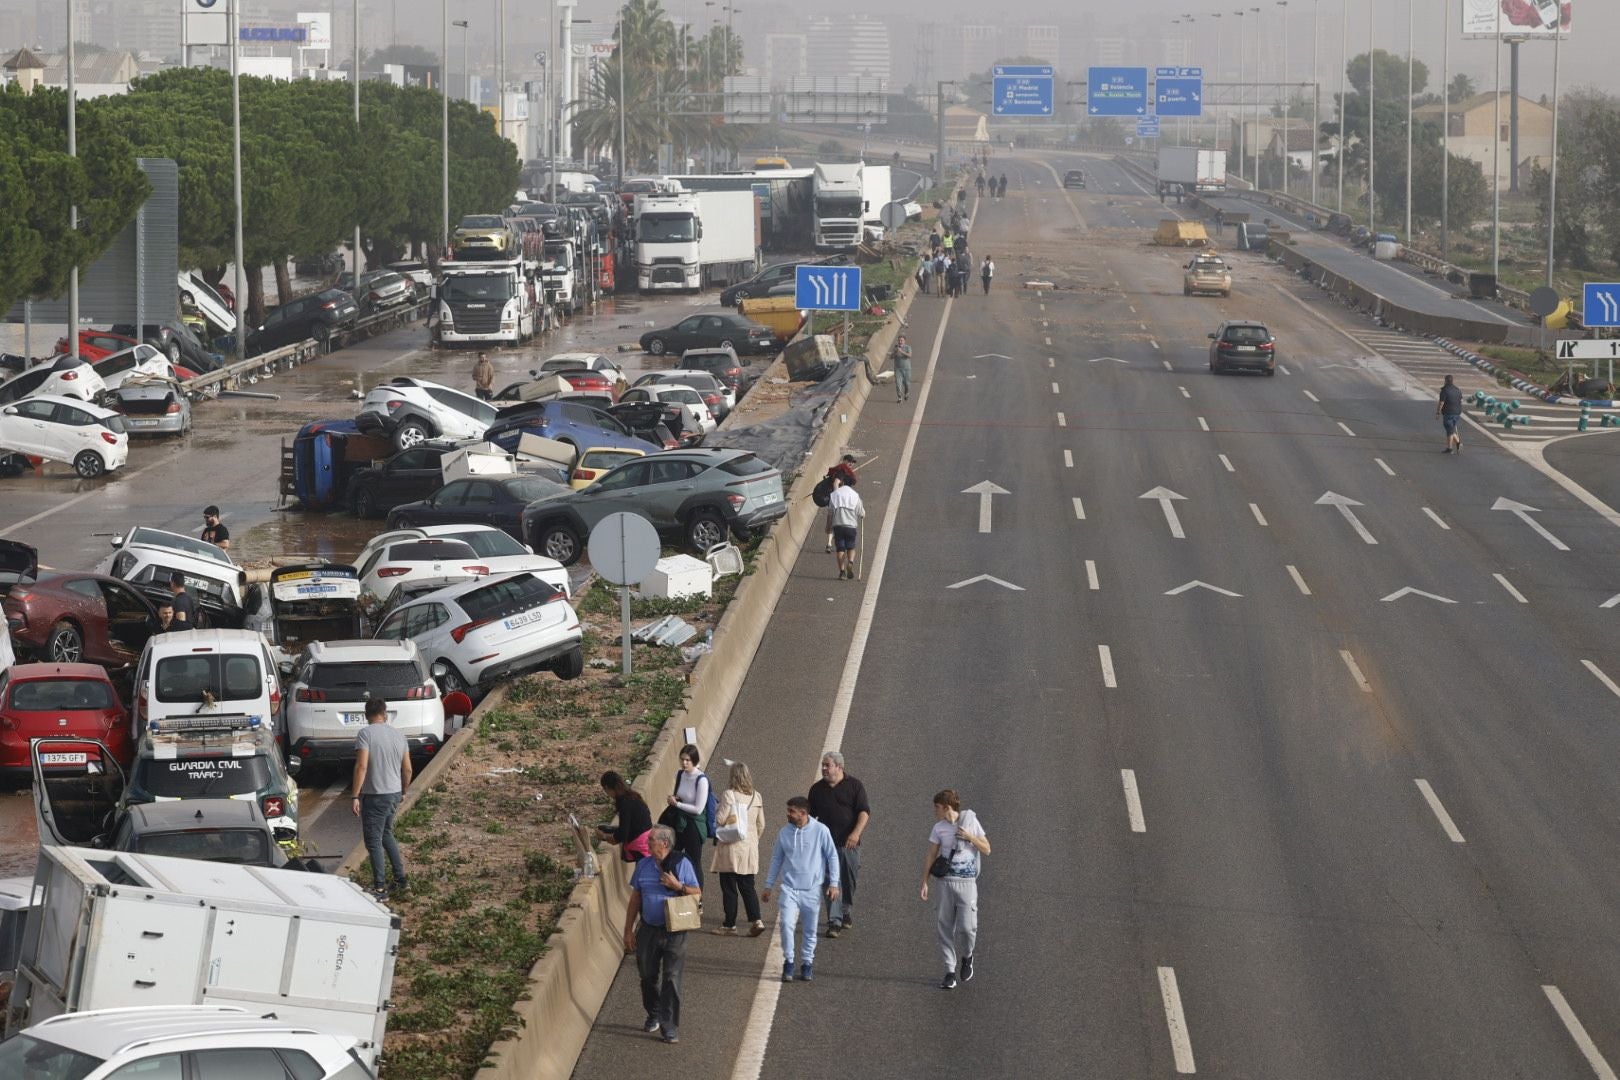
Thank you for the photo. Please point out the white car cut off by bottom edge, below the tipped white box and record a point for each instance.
(153, 1042)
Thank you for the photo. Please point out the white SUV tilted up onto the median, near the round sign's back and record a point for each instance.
(482, 632)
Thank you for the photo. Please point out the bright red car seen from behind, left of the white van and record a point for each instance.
(74, 700)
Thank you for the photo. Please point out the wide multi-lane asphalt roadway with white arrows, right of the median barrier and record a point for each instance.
(1305, 776)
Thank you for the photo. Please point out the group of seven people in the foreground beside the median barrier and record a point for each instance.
(816, 857)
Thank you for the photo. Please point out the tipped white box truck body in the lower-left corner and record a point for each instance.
(111, 930)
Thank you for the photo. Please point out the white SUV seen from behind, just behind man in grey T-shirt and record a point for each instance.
(331, 684)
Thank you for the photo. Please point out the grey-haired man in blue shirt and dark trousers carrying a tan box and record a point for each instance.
(660, 953)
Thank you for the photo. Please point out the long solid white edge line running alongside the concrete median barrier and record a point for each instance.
(762, 1014)
